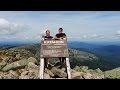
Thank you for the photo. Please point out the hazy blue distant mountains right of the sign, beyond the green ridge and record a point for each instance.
(108, 51)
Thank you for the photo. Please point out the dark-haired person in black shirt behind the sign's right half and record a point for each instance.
(61, 36)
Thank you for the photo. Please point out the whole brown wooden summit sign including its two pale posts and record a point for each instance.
(53, 49)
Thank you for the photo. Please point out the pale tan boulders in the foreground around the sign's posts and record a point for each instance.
(29, 69)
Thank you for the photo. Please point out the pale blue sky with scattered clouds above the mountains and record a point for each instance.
(78, 25)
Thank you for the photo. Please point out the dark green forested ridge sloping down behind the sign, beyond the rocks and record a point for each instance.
(78, 57)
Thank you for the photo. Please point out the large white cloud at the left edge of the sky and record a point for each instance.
(10, 28)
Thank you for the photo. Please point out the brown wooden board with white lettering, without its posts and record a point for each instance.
(54, 48)
